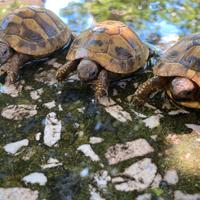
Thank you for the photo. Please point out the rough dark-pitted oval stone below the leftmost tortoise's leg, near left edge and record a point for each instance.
(19, 112)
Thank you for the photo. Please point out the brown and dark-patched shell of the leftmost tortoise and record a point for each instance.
(34, 31)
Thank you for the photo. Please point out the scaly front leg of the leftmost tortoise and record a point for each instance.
(13, 65)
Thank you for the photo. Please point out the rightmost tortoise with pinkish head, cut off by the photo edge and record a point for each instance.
(177, 72)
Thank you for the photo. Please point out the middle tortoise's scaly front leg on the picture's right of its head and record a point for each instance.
(101, 84)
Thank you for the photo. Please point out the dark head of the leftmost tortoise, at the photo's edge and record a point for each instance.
(5, 50)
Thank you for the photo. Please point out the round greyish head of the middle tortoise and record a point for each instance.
(87, 70)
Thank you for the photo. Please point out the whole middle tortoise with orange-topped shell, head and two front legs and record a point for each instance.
(108, 50)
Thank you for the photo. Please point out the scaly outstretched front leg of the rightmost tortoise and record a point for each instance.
(144, 90)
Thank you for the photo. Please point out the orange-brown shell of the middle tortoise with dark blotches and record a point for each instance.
(111, 44)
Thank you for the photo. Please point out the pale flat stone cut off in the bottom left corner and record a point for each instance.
(17, 193)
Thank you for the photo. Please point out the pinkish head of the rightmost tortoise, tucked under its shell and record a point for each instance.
(184, 89)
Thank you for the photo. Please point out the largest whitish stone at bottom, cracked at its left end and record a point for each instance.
(137, 177)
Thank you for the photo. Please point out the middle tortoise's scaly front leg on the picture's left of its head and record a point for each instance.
(66, 69)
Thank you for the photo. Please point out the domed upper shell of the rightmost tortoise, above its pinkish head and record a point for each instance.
(182, 59)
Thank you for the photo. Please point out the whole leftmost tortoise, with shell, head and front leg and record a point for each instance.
(28, 33)
